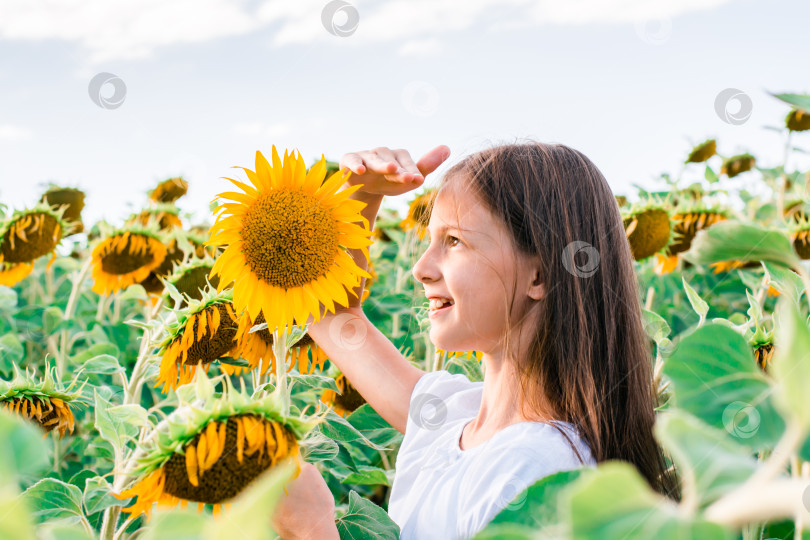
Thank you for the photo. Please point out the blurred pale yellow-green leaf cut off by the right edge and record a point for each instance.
(791, 363)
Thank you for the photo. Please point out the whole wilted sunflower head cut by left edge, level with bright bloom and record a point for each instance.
(29, 234)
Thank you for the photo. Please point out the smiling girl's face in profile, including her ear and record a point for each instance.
(471, 261)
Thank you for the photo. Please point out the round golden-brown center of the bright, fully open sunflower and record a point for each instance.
(288, 238)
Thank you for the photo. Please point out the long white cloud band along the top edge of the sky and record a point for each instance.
(136, 28)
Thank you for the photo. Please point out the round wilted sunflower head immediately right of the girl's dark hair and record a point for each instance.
(647, 226)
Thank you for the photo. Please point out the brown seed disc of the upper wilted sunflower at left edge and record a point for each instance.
(30, 237)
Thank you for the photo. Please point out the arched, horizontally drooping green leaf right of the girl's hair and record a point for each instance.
(734, 240)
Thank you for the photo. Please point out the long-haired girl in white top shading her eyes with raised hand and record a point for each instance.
(528, 263)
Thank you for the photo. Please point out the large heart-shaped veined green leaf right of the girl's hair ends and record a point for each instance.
(714, 376)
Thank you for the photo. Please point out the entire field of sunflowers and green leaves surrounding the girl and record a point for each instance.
(153, 363)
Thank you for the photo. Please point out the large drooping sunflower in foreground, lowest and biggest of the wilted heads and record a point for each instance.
(209, 453)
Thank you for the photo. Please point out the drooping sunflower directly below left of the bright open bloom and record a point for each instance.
(202, 332)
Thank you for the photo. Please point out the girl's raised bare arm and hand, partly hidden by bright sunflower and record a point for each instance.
(370, 361)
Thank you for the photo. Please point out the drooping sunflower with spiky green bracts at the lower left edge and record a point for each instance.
(41, 401)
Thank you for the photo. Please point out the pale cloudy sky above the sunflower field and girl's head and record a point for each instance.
(113, 97)
